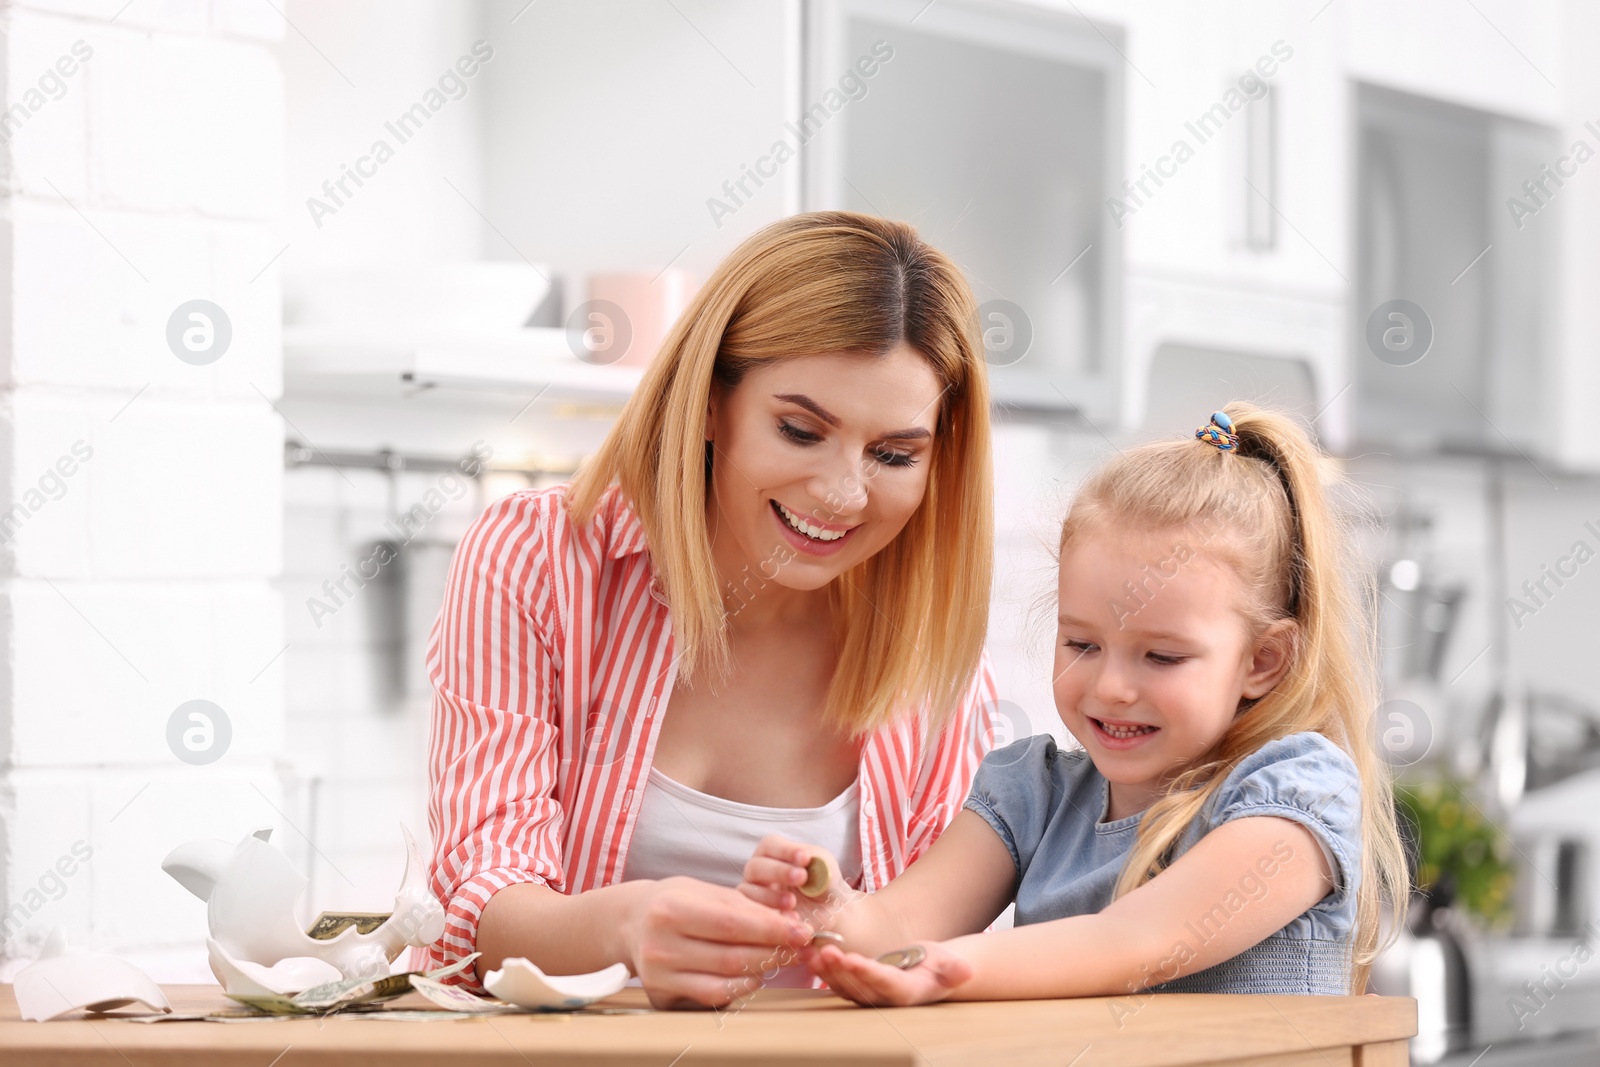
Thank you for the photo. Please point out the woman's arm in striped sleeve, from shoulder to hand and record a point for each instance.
(495, 765)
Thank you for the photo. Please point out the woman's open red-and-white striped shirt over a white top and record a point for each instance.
(551, 663)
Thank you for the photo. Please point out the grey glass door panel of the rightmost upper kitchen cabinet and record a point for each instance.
(1457, 217)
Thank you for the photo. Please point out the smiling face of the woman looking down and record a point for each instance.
(820, 463)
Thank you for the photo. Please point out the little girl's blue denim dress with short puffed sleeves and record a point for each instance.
(1049, 805)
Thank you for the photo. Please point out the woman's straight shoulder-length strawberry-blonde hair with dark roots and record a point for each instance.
(913, 618)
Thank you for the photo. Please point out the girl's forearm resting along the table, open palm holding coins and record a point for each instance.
(1239, 885)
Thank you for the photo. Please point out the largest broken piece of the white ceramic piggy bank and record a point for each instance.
(252, 890)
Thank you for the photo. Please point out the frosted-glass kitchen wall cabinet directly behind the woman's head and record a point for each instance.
(998, 130)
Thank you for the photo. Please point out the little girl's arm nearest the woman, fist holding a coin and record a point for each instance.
(958, 887)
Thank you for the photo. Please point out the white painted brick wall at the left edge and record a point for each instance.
(142, 572)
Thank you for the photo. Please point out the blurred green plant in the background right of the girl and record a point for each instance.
(1454, 837)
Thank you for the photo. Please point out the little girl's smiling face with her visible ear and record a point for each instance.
(1154, 655)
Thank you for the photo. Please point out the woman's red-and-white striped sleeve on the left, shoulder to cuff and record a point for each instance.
(495, 733)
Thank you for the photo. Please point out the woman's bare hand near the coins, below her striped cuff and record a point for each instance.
(695, 945)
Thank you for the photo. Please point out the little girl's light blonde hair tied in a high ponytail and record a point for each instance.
(1265, 510)
